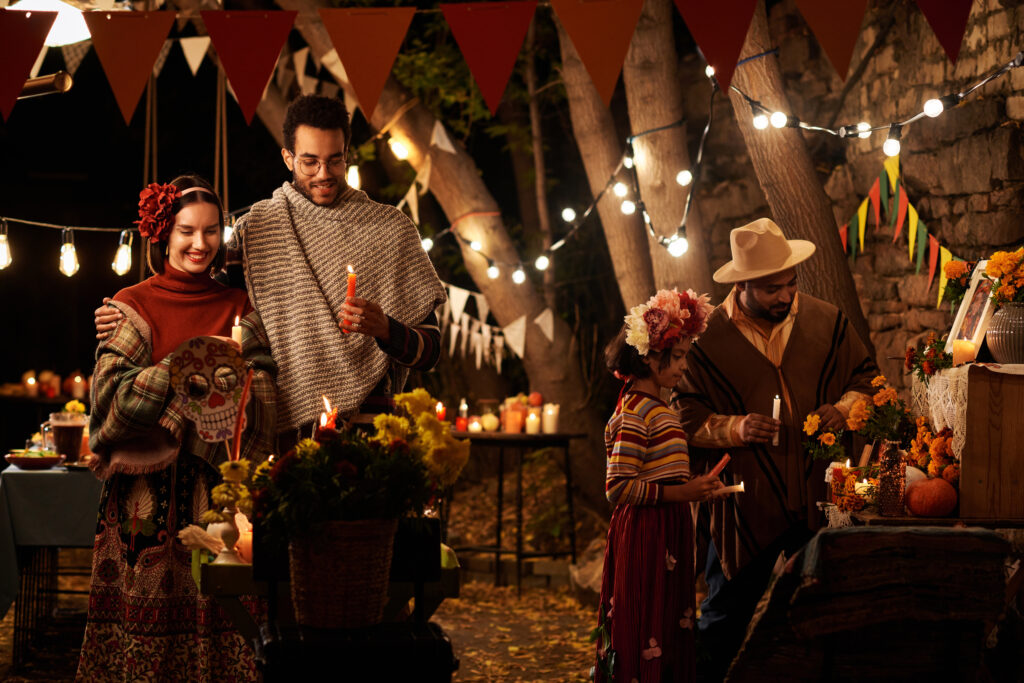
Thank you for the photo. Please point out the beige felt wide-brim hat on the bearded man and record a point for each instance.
(760, 249)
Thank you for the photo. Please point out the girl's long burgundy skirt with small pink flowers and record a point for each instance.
(648, 612)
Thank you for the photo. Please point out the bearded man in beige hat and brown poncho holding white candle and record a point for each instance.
(762, 343)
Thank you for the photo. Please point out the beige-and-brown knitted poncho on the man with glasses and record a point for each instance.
(295, 259)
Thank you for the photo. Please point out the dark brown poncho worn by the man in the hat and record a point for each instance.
(727, 375)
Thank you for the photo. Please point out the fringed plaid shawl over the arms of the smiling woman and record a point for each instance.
(138, 424)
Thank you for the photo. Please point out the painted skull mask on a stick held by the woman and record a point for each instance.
(207, 374)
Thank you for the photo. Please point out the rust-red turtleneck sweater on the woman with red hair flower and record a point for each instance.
(179, 306)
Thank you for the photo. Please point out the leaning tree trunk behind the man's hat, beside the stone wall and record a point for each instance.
(787, 176)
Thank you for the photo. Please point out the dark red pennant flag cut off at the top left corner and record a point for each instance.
(22, 36)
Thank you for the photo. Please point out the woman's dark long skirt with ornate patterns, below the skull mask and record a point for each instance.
(147, 620)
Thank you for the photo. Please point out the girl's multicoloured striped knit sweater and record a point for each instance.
(646, 447)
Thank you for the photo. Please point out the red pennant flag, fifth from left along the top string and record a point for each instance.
(490, 35)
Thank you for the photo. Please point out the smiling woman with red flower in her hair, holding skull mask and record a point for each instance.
(147, 620)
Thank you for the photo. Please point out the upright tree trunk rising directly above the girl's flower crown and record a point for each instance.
(655, 98)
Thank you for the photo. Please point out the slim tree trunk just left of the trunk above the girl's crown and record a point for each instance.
(602, 150)
